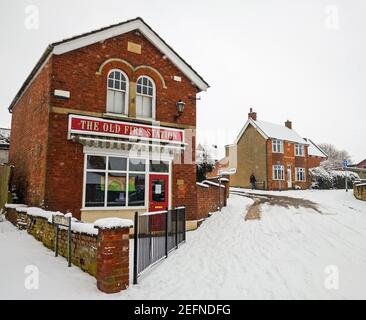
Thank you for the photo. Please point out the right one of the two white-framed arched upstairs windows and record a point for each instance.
(145, 98)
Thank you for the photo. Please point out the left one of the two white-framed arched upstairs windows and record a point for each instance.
(117, 92)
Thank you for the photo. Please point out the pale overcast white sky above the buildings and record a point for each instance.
(302, 60)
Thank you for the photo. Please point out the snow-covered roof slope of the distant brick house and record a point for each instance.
(280, 132)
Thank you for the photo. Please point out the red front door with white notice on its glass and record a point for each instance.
(158, 192)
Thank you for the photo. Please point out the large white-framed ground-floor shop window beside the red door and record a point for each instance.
(114, 181)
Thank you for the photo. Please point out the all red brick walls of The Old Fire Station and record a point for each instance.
(48, 167)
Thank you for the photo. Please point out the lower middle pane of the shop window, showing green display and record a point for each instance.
(116, 190)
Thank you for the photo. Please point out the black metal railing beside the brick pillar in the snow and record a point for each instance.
(155, 235)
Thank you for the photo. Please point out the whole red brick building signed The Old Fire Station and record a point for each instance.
(105, 126)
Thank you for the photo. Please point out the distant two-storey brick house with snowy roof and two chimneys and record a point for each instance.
(277, 155)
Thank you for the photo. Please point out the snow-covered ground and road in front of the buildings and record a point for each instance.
(287, 254)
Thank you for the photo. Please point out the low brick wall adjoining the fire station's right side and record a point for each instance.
(208, 195)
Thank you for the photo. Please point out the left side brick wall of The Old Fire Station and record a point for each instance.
(28, 145)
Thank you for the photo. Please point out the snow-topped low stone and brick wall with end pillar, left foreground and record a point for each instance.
(102, 252)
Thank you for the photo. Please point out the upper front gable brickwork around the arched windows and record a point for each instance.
(76, 71)
